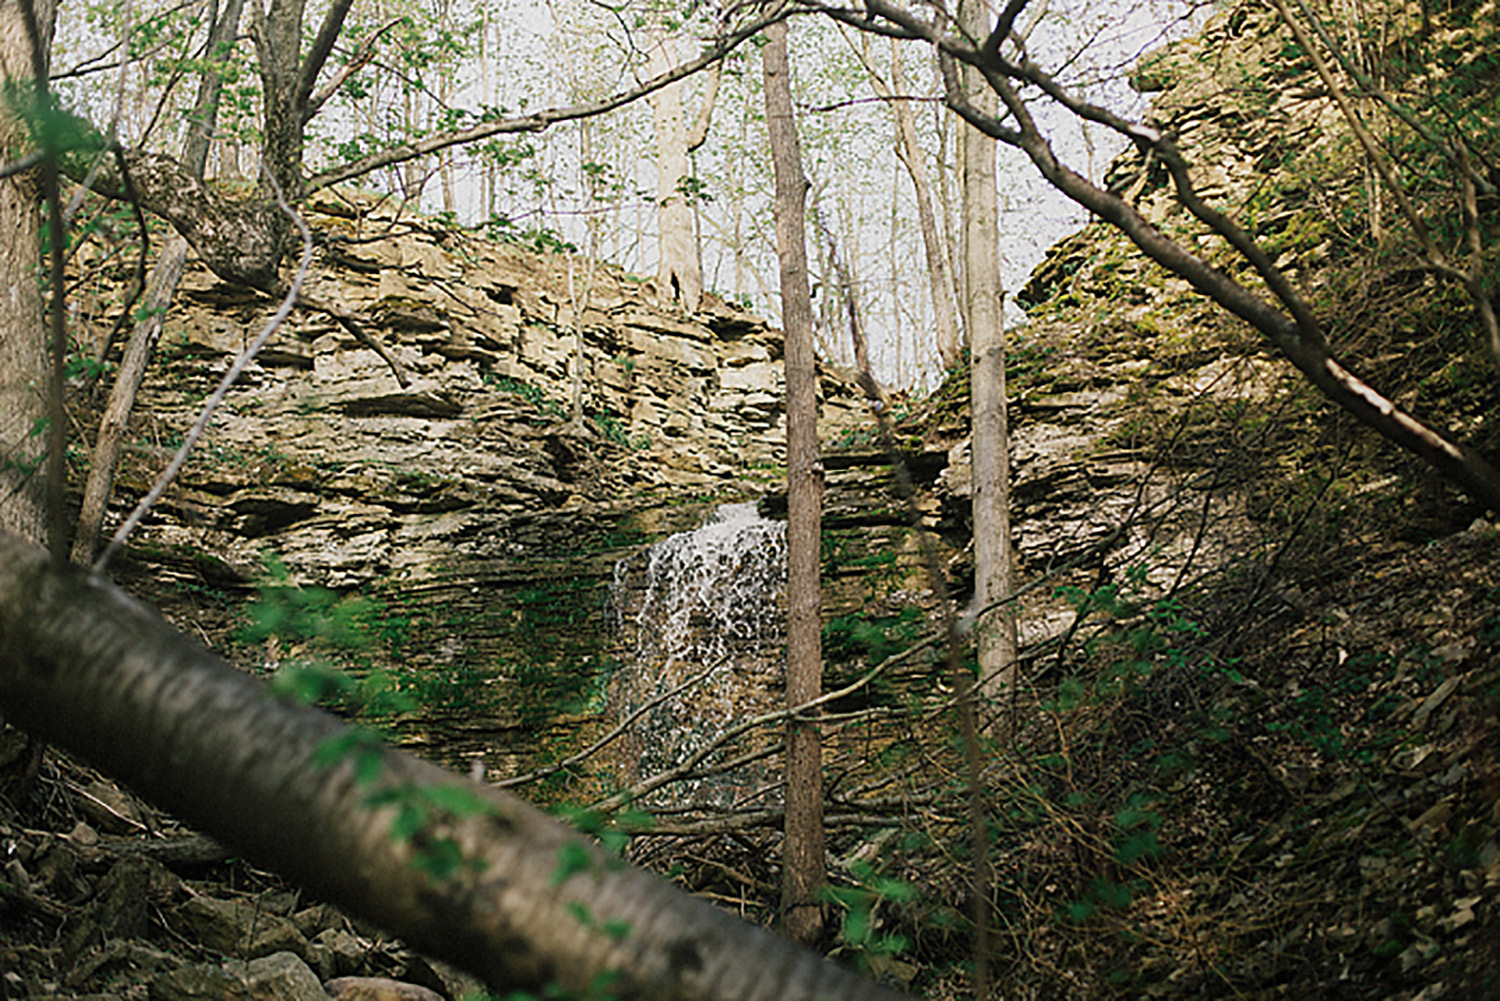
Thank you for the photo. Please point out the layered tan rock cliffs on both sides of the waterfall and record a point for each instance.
(1154, 440)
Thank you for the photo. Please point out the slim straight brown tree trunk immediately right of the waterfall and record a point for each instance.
(803, 862)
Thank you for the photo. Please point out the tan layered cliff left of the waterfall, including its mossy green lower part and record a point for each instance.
(481, 513)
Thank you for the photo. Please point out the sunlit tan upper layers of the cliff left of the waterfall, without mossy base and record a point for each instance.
(325, 457)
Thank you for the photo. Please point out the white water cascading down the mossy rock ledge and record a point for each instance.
(703, 601)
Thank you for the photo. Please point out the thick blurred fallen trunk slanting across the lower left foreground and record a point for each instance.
(85, 666)
